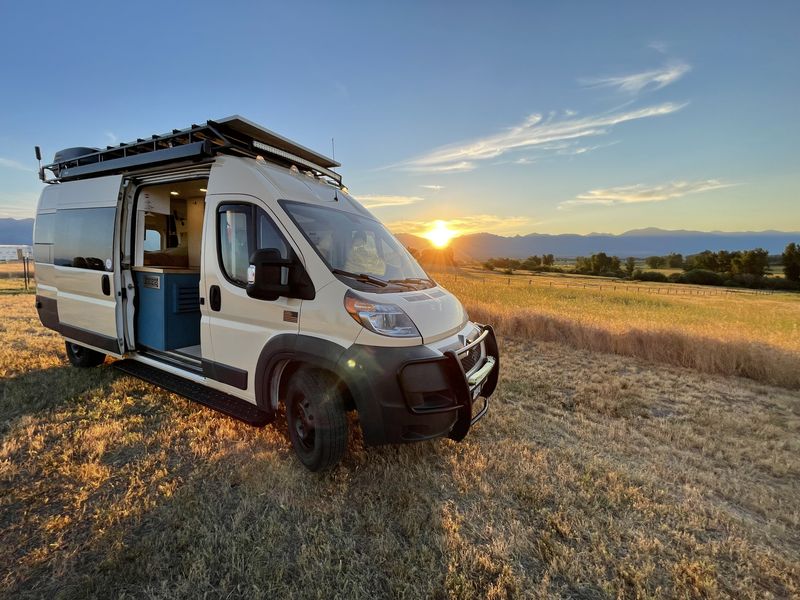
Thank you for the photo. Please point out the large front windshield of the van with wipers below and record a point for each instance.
(356, 245)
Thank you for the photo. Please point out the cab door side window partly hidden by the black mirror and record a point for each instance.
(242, 229)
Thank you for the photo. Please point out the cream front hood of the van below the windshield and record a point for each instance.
(435, 311)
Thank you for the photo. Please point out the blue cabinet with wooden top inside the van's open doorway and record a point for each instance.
(168, 312)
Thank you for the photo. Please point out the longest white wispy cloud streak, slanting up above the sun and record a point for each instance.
(533, 132)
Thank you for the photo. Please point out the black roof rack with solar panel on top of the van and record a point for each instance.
(231, 135)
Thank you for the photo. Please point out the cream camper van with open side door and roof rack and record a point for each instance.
(228, 264)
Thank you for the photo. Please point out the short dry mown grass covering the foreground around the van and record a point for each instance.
(593, 476)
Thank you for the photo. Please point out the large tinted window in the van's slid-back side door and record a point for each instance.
(84, 238)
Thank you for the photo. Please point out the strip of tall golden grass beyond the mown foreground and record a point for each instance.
(755, 336)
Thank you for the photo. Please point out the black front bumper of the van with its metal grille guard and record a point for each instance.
(413, 394)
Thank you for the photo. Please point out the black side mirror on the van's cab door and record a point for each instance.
(270, 276)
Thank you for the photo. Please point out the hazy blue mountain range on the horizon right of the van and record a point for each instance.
(637, 242)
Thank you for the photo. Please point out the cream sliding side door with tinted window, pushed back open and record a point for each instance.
(86, 260)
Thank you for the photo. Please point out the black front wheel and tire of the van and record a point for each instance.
(316, 418)
